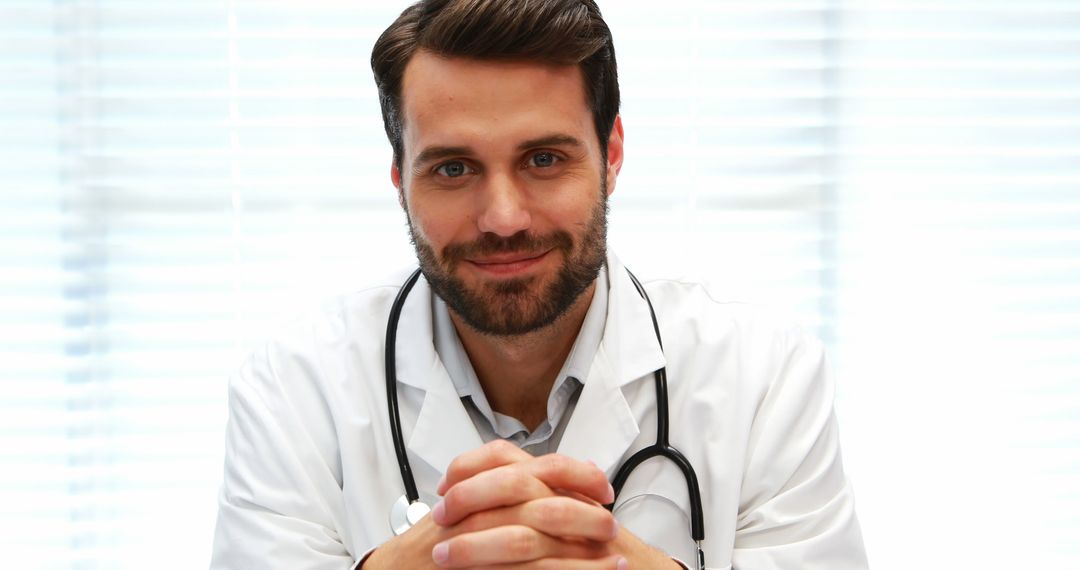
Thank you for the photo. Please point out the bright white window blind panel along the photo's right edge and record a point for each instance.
(958, 300)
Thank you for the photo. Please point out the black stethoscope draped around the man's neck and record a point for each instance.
(409, 509)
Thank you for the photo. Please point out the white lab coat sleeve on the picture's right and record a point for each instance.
(796, 507)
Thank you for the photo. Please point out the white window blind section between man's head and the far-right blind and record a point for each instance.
(730, 120)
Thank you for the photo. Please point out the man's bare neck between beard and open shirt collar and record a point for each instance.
(518, 373)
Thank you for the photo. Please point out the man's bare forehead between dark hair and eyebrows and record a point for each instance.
(457, 98)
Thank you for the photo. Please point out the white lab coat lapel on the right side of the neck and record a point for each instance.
(603, 427)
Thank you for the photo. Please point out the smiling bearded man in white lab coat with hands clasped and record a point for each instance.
(525, 357)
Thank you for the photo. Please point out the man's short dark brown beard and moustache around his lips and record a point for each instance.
(518, 306)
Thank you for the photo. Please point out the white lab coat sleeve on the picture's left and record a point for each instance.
(280, 503)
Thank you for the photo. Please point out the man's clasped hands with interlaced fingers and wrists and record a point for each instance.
(503, 508)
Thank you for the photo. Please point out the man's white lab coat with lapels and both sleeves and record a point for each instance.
(312, 474)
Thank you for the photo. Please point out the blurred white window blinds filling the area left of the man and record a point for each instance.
(182, 177)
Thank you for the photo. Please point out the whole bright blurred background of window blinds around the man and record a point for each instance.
(901, 178)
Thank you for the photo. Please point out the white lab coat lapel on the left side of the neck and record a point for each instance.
(443, 429)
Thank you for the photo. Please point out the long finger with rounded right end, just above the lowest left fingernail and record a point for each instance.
(556, 517)
